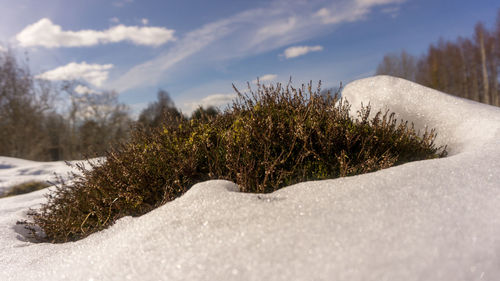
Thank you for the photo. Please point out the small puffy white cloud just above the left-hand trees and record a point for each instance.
(95, 74)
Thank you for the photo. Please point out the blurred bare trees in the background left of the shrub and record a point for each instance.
(43, 121)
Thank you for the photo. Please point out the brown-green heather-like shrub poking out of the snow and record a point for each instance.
(270, 138)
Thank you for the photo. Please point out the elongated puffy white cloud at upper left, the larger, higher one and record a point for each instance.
(45, 33)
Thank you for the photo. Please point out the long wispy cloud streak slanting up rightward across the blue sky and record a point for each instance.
(281, 23)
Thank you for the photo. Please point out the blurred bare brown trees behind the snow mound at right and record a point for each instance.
(466, 67)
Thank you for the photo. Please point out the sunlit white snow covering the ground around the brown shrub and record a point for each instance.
(427, 220)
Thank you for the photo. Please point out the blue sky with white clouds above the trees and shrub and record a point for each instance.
(196, 49)
